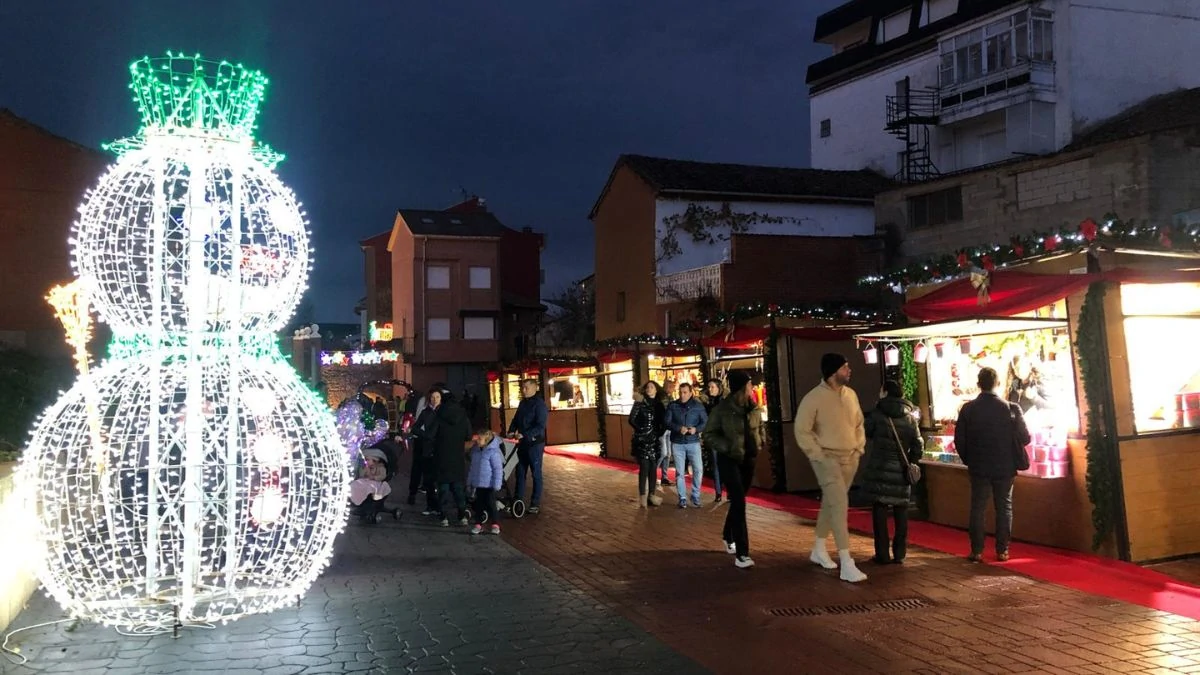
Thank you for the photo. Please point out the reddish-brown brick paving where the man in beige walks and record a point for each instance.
(665, 570)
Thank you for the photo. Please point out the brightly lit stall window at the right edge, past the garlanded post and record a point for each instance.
(1162, 324)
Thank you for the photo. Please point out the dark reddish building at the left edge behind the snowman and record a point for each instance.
(43, 181)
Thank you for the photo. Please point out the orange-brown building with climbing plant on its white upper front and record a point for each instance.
(793, 236)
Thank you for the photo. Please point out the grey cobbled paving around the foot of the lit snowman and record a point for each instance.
(405, 598)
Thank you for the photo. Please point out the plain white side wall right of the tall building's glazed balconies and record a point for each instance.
(1121, 52)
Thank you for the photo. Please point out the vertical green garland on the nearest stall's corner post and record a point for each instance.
(1102, 452)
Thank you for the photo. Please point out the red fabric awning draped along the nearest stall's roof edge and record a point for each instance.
(1018, 292)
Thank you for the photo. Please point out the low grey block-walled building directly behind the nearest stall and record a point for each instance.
(1143, 164)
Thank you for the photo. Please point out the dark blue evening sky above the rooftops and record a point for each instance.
(388, 104)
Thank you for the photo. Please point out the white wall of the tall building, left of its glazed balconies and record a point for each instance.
(857, 111)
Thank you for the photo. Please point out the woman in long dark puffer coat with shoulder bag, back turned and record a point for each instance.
(891, 431)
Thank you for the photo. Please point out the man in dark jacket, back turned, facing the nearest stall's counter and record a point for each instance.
(989, 434)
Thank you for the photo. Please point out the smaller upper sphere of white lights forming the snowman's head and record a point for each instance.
(163, 220)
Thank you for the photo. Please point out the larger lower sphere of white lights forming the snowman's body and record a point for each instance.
(267, 493)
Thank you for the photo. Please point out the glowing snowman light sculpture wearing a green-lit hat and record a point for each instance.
(191, 477)
